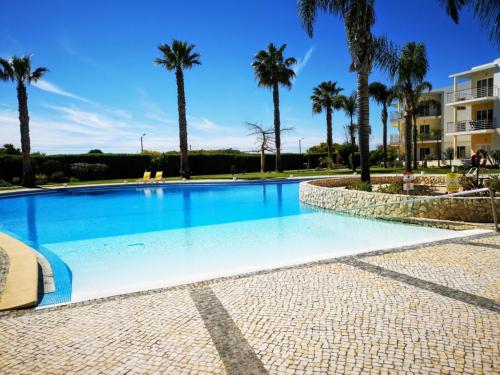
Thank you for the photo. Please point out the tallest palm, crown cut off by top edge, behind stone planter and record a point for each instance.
(358, 17)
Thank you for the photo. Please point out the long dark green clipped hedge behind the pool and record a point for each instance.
(133, 165)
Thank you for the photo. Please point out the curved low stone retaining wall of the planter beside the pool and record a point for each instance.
(332, 194)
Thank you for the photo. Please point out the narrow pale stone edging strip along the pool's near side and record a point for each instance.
(204, 283)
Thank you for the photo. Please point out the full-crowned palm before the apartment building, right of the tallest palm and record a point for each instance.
(409, 67)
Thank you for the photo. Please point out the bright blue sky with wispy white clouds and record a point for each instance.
(104, 91)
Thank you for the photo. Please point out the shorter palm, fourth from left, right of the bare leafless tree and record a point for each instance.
(326, 97)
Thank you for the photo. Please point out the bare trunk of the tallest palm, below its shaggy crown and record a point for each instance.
(364, 125)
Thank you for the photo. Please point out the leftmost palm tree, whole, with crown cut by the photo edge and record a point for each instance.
(18, 69)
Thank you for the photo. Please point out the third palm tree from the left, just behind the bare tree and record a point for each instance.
(272, 69)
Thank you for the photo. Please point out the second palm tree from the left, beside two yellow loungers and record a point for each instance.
(178, 57)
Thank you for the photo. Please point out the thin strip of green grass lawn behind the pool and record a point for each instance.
(264, 176)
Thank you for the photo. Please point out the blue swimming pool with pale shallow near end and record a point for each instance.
(112, 240)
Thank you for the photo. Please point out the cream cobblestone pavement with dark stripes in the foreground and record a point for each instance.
(431, 309)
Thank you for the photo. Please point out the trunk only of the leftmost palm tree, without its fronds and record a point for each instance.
(24, 122)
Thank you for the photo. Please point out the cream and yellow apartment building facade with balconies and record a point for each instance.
(468, 117)
